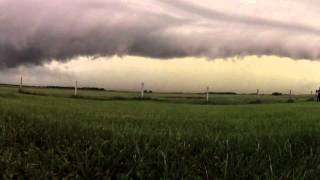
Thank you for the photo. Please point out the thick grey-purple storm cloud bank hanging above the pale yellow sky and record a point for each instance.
(37, 31)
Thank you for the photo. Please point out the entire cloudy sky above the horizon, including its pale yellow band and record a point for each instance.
(171, 45)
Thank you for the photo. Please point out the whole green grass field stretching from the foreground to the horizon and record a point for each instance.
(47, 133)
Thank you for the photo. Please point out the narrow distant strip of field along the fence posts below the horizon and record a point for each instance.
(196, 98)
